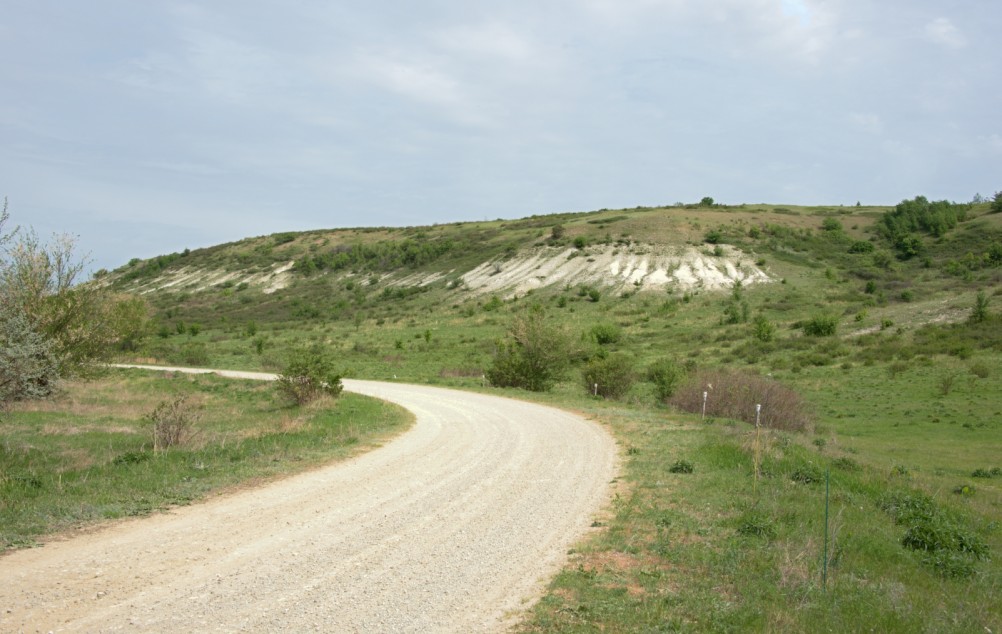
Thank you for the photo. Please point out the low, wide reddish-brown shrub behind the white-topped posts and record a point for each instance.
(734, 395)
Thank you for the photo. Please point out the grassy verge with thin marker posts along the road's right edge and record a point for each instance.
(717, 550)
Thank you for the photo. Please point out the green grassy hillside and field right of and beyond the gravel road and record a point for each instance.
(905, 395)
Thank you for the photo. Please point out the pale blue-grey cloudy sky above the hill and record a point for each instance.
(145, 129)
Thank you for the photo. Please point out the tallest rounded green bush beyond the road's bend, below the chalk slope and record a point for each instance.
(534, 356)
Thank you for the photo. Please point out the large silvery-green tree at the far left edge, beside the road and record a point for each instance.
(55, 328)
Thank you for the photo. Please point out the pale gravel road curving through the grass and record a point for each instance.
(452, 527)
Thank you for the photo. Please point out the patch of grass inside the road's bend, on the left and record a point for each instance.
(88, 456)
